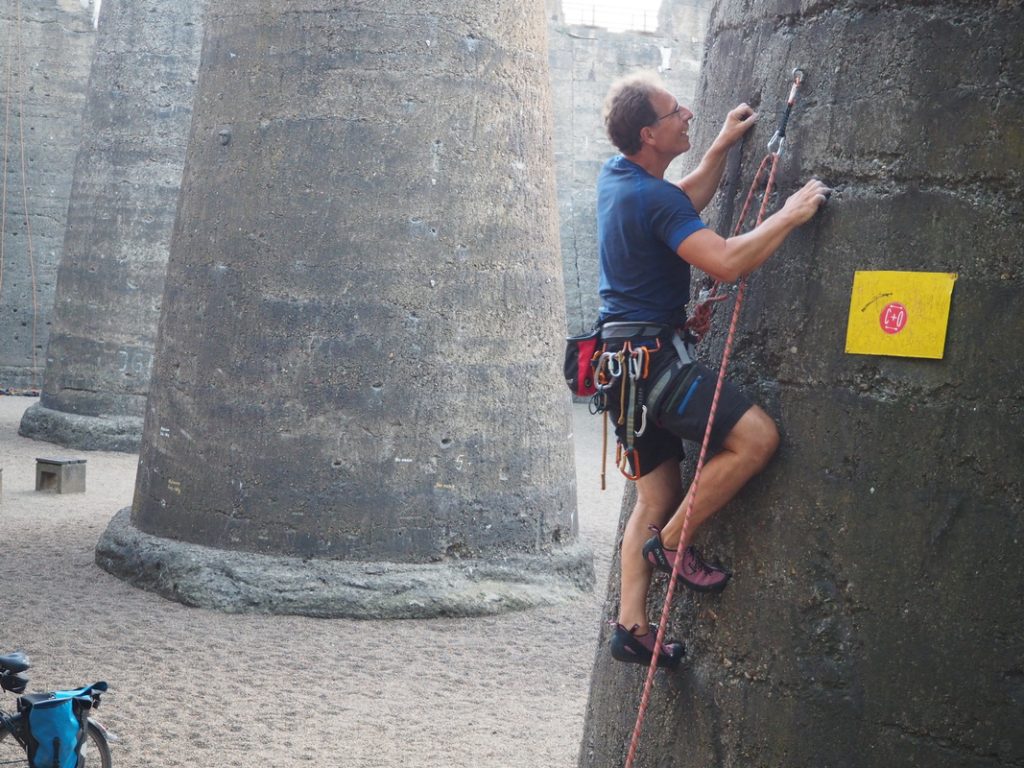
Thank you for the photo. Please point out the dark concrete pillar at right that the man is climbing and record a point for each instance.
(876, 615)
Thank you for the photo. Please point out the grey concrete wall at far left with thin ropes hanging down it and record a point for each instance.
(46, 51)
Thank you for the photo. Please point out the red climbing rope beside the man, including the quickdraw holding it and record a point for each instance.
(776, 146)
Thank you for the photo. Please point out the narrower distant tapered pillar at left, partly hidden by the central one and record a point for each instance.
(124, 197)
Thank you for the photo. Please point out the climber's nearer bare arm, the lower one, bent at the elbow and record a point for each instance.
(728, 261)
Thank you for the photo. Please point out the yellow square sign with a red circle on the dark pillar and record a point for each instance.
(900, 314)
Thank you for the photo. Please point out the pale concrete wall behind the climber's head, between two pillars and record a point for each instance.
(585, 61)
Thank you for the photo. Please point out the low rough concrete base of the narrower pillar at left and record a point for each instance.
(122, 434)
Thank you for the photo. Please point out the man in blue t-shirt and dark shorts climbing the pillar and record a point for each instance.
(650, 236)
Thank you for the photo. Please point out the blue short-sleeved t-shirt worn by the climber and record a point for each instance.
(642, 221)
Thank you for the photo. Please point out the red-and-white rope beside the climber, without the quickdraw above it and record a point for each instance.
(772, 158)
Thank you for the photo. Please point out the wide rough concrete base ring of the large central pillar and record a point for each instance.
(241, 582)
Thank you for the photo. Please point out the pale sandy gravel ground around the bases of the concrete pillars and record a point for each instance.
(193, 688)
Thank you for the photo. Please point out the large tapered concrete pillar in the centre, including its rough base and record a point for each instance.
(357, 401)
